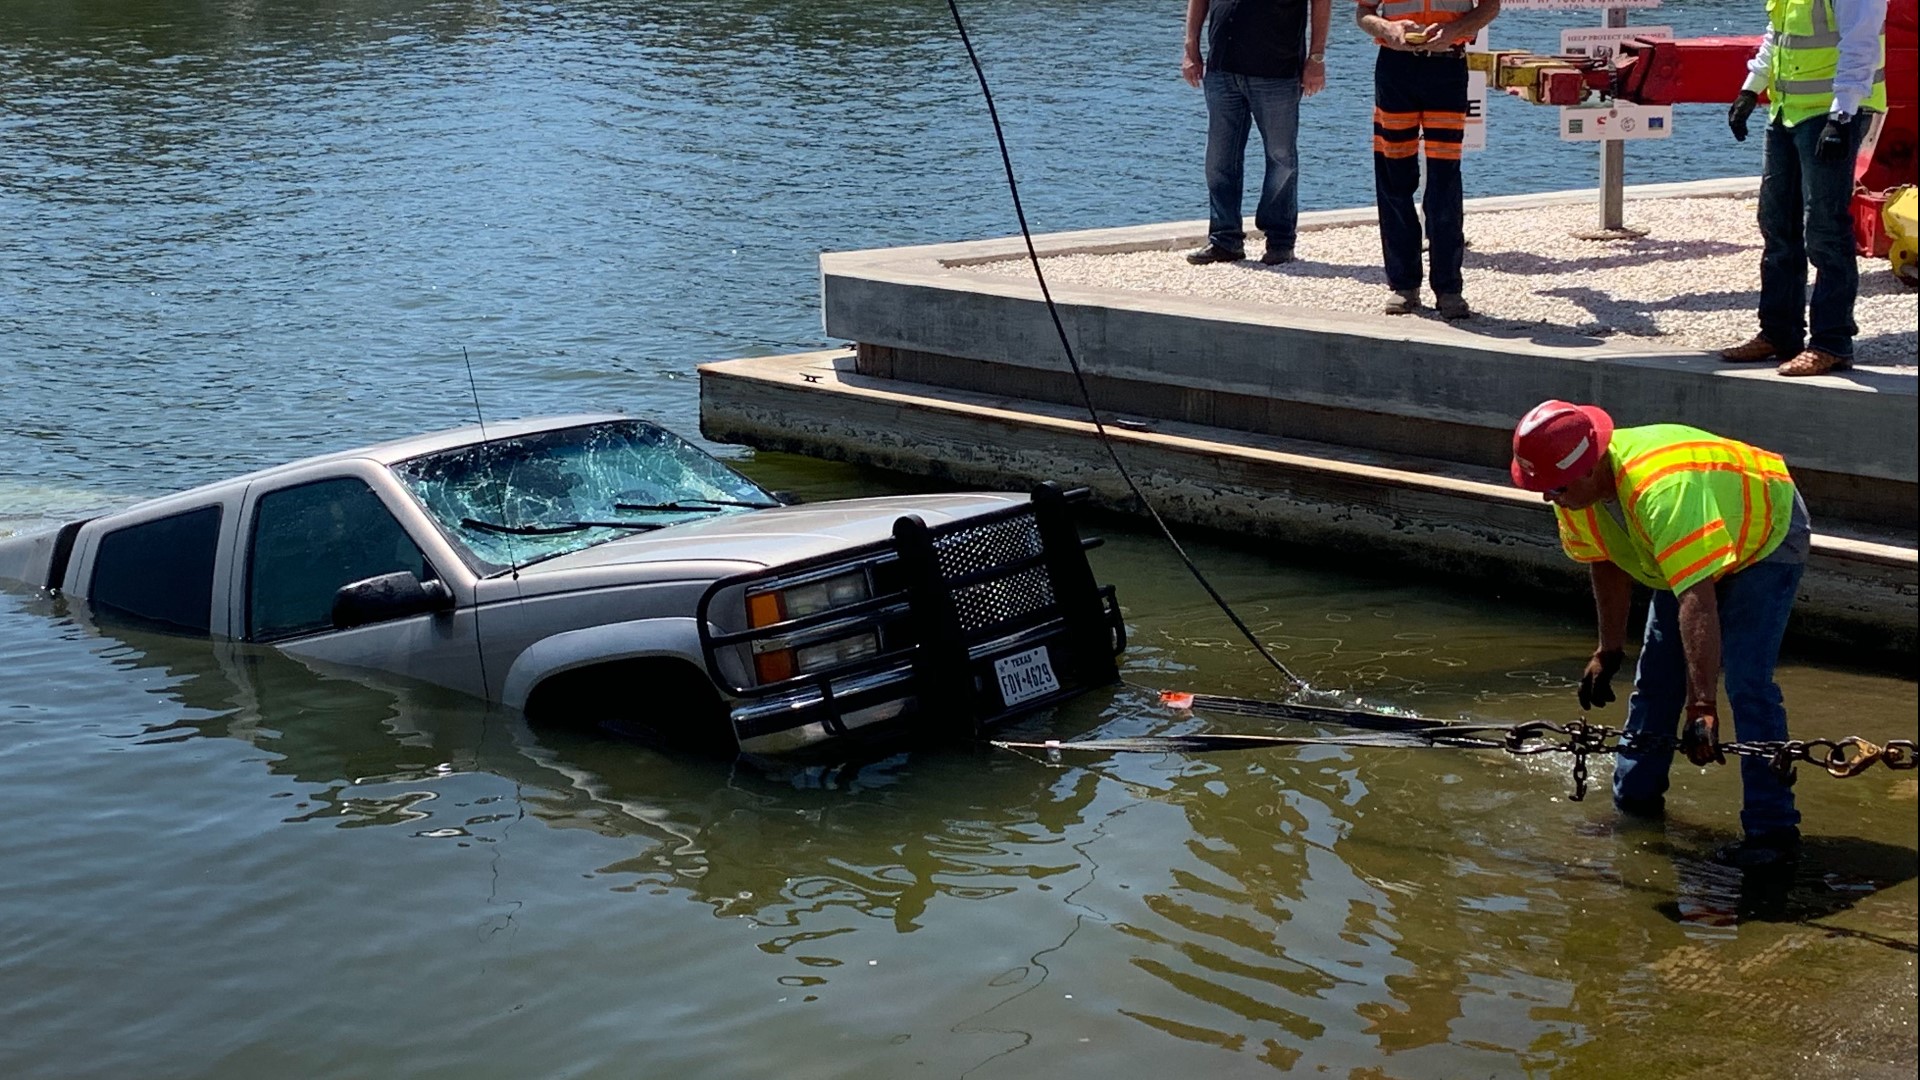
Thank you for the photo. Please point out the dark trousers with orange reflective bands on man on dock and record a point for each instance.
(1420, 95)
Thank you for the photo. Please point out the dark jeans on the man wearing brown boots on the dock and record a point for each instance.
(1806, 220)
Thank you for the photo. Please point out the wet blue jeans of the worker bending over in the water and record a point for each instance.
(1754, 618)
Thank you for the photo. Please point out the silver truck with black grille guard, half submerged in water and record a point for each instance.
(602, 570)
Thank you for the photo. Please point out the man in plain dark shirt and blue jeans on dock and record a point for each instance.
(1260, 61)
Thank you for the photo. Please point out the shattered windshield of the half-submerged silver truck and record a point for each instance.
(535, 497)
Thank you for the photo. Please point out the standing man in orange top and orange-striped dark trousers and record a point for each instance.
(1420, 89)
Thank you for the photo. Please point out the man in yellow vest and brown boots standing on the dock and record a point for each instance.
(1823, 66)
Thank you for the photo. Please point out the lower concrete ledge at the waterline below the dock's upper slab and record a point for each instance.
(1449, 520)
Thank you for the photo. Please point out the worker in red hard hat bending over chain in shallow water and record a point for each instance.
(1719, 533)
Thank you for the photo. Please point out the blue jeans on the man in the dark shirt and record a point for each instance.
(1234, 103)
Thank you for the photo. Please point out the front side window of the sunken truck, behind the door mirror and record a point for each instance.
(308, 543)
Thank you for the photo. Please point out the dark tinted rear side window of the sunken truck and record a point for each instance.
(160, 574)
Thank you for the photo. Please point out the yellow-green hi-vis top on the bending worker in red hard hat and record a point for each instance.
(1696, 506)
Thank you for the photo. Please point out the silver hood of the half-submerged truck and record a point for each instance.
(777, 537)
